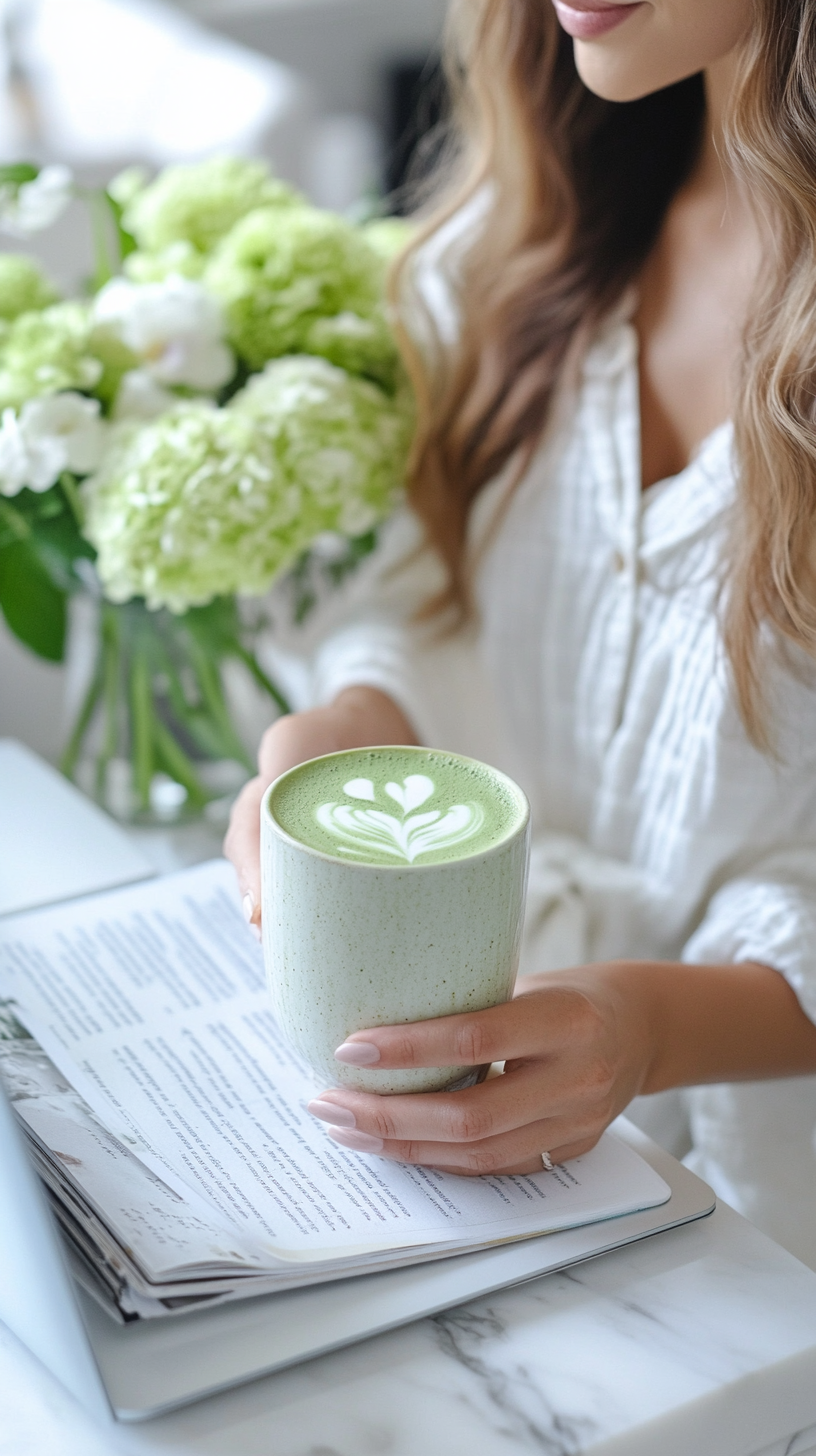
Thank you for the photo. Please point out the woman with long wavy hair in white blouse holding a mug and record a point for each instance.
(630, 388)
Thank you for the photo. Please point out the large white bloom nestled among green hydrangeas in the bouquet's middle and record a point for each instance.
(174, 327)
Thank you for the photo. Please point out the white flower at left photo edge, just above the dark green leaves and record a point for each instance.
(52, 435)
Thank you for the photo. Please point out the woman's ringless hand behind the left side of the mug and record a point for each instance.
(359, 719)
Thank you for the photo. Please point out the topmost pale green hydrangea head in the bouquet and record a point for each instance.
(200, 203)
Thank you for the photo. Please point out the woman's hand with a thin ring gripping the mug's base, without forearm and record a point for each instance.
(578, 1049)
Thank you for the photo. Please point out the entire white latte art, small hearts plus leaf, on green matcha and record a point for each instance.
(365, 831)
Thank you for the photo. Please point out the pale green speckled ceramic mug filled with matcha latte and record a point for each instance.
(394, 889)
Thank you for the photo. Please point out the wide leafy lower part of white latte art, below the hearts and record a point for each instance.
(364, 832)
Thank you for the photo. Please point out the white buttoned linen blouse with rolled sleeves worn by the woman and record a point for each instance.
(598, 679)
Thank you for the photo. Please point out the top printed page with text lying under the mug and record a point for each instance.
(152, 1001)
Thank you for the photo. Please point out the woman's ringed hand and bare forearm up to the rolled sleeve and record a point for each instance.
(578, 1048)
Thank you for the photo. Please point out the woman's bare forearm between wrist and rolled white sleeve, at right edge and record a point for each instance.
(722, 1024)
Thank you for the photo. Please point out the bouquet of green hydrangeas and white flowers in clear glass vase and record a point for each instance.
(225, 401)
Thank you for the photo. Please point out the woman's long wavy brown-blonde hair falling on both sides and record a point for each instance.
(576, 191)
